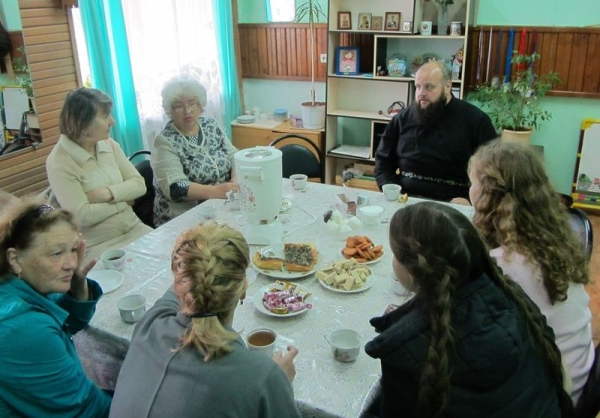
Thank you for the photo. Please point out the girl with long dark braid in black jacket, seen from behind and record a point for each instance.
(470, 343)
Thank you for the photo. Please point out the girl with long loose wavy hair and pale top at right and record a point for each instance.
(521, 217)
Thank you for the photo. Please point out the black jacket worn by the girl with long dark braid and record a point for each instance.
(495, 371)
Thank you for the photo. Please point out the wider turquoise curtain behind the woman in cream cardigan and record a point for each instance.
(106, 37)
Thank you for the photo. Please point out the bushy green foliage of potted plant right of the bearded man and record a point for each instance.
(514, 106)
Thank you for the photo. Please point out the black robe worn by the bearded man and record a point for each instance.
(439, 150)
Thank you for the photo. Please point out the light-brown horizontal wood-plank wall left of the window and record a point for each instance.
(47, 36)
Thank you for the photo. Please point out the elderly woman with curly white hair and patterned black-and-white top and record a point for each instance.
(192, 157)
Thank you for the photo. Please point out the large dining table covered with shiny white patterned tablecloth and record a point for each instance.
(323, 386)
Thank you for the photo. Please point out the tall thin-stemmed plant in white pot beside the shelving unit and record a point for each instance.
(313, 112)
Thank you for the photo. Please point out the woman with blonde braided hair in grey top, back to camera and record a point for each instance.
(185, 359)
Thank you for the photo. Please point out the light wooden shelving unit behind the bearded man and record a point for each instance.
(357, 104)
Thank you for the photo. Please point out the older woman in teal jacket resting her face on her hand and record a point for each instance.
(44, 299)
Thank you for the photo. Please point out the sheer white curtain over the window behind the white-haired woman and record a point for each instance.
(166, 38)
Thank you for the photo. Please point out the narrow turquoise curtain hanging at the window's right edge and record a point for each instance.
(231, 92)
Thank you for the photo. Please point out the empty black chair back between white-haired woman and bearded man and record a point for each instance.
(300, 159)
